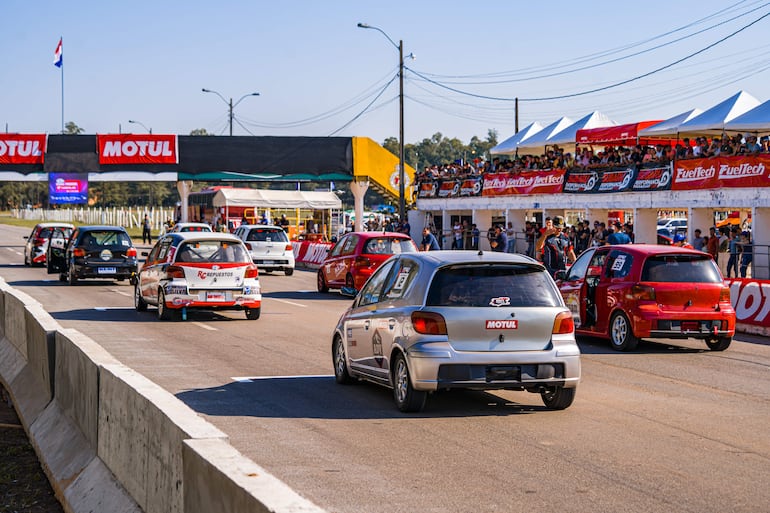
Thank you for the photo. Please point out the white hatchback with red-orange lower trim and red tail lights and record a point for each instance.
(202, 271)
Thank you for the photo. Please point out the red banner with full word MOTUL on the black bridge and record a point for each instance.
(137, 149)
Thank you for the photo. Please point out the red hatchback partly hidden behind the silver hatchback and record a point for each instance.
(357, 255)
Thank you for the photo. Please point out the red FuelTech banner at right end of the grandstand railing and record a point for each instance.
(716, 172)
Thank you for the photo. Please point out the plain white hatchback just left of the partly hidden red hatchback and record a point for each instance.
(269, 247)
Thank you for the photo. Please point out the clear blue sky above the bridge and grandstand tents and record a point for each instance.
(316, 72)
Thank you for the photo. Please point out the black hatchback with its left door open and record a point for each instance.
(104, 252)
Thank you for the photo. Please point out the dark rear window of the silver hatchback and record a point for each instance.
(492, 285)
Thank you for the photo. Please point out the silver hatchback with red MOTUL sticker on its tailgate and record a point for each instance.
(458, 319)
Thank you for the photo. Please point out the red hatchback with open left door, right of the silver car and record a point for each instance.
(628, 292)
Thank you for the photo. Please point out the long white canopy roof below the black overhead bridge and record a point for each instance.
(265, 198)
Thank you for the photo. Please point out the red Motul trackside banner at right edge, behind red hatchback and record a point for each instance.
(751, 300)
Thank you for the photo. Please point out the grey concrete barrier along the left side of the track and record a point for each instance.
(110, 439)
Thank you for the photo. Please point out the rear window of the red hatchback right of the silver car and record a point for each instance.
(681, 269)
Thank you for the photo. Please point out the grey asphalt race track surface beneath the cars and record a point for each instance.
(669, 427)
